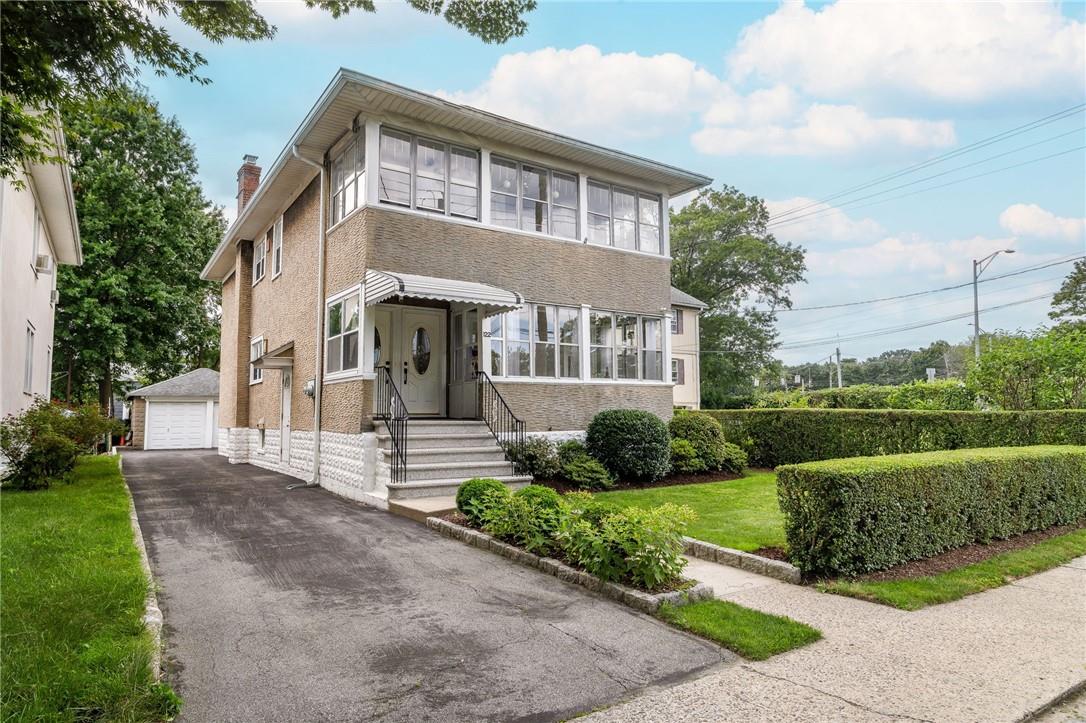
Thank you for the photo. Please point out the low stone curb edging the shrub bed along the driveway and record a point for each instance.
(635, 599)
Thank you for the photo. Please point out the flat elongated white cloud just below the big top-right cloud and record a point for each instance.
(824, 131)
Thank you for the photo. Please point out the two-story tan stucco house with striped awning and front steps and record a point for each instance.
(414, 282)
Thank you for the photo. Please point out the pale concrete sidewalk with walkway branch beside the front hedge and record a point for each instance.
(996, 656)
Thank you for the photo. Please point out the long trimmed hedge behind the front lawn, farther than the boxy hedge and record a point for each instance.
(787, 437)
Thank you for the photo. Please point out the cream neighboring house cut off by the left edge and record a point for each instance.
(39, 231)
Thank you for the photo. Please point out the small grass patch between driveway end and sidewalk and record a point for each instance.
(754, 636)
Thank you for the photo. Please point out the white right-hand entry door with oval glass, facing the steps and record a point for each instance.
(423, 360)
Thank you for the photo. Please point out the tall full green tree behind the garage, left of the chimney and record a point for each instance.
(137, 303)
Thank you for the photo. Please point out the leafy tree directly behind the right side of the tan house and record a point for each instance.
(725, 256)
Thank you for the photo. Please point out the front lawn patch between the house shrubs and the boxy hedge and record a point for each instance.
(739, 514)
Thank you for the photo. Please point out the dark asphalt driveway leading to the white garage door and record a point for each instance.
(302, 606)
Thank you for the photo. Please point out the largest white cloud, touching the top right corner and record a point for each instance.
(952, 52)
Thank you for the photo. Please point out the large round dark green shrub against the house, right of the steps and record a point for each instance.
(630, 443)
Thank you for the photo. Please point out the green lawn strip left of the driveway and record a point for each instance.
(73, 592)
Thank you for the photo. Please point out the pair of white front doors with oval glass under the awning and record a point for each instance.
(411, 343)
